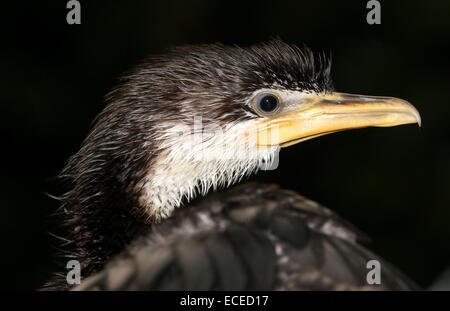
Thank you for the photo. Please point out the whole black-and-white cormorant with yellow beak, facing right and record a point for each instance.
(203, 117)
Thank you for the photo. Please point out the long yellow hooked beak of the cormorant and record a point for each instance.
(316, 115)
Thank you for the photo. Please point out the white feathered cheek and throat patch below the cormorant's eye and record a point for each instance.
(192, 162)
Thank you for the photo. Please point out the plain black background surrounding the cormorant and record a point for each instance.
(393, 183)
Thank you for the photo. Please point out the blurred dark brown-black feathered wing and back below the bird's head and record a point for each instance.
(212, 248)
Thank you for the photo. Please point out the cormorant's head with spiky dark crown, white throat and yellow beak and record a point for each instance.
(205, 116)
